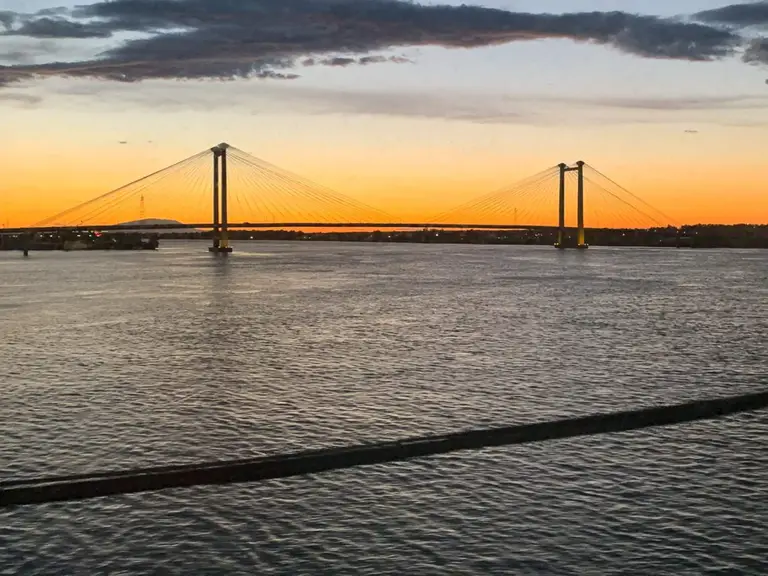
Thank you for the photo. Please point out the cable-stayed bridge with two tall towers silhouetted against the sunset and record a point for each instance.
(224, 188)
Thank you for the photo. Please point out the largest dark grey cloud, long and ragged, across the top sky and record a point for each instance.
(224, 39)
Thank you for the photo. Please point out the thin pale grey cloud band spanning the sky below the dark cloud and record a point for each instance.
(476, 107)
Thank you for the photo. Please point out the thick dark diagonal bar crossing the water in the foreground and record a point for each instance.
(88, 486)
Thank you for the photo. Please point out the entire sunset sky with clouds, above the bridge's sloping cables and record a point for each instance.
(413, 108)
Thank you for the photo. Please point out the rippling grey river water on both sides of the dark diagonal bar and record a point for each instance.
(111, 360)
